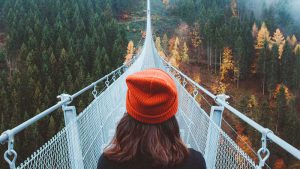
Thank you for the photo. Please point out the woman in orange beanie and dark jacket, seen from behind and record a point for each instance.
(147, 137)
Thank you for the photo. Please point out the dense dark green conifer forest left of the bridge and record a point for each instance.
(52, 47)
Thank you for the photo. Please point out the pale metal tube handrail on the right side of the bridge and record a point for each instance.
(280, 142)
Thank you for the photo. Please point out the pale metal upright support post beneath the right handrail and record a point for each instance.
(213, 136)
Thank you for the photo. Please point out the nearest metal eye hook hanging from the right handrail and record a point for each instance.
(263, 153)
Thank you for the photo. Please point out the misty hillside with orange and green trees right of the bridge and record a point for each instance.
(208, 29)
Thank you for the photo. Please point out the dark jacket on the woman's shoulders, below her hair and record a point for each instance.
(194, 161)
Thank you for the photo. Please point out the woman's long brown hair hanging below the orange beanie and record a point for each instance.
(160, 144)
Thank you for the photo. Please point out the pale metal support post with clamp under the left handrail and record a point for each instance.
(75, 152)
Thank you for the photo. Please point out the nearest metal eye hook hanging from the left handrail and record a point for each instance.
(10, 154)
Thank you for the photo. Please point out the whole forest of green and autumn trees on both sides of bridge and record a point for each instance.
(51, 47)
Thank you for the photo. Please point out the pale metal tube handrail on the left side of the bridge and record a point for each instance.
(5, 136)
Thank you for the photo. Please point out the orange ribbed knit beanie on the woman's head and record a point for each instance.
(151, 97)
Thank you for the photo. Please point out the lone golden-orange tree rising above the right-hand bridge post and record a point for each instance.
(227, 66)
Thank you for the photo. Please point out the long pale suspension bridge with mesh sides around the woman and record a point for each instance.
(80, 143)
